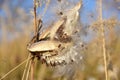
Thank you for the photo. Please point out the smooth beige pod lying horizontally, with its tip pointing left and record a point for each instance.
(43, 46)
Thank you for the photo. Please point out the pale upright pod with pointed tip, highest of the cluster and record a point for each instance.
(72, 19)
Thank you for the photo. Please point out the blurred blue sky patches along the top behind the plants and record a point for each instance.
(88, 11)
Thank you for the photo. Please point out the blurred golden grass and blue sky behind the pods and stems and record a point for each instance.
(16, 30)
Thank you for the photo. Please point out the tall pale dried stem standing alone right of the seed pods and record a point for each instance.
(103, 39)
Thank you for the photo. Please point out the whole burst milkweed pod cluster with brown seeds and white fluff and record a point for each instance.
(59, 40)
